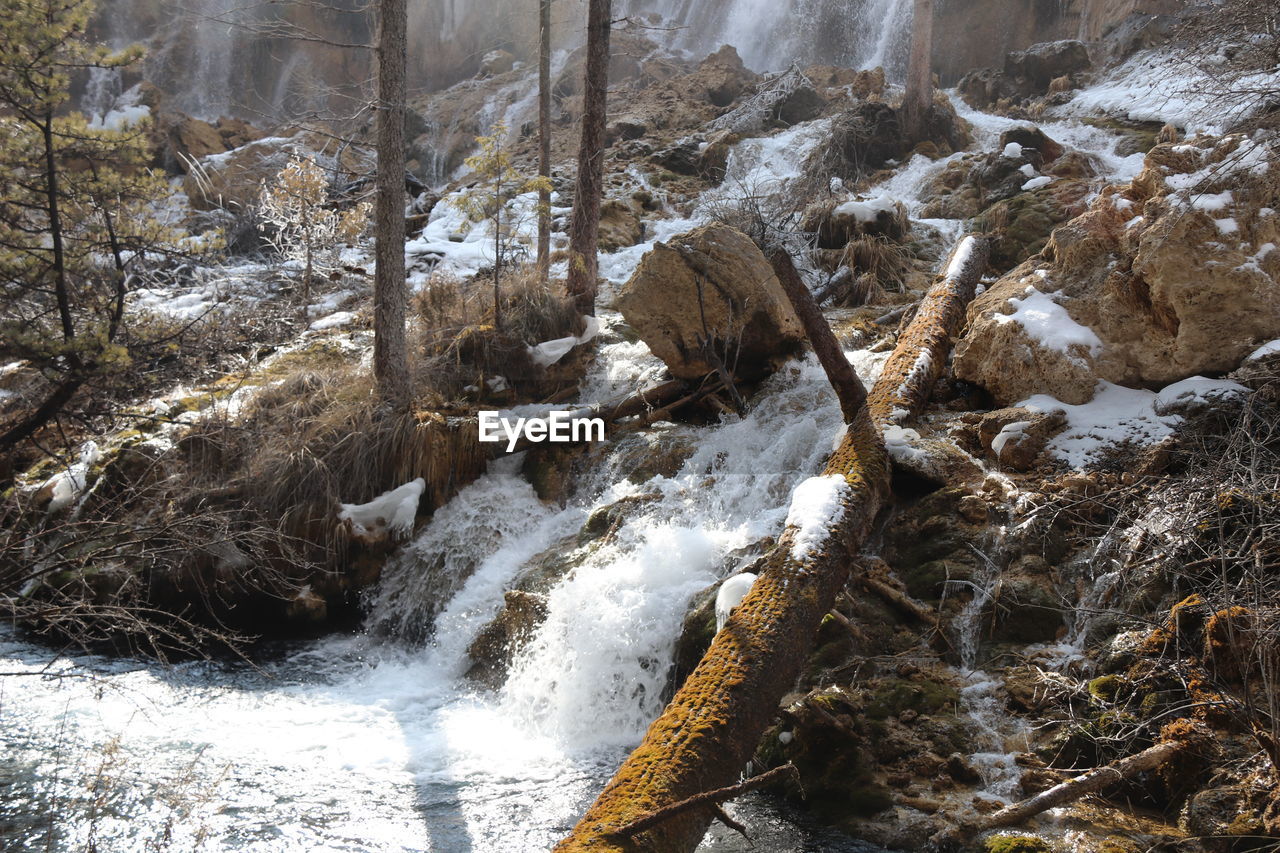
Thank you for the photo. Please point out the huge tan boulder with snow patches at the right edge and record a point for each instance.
(1169, 277)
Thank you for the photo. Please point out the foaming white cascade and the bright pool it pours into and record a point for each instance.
(364, 745)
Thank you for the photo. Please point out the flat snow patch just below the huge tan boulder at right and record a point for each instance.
(1114, 416)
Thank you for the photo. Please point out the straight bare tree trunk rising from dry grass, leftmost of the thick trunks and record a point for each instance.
(391, 352)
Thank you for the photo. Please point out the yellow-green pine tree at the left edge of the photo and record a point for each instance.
(76, 213)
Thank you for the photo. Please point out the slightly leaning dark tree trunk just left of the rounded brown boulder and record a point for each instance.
(586, 225)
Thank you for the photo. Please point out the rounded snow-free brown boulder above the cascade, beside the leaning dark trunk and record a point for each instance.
(711, 295)
